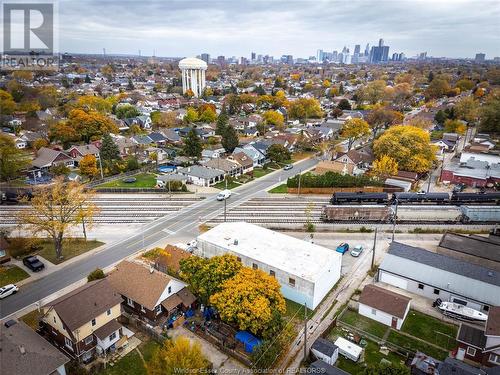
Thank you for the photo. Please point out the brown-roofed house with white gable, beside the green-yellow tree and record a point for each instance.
(151, 295)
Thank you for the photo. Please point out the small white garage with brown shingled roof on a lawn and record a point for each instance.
(384, 306)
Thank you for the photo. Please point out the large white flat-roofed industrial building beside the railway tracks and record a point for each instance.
(305, 271)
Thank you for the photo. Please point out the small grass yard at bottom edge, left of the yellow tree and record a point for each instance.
(132, 363)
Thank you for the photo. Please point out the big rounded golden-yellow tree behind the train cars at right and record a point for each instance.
(409, 146)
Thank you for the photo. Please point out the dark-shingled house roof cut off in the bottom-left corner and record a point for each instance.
(25, 352)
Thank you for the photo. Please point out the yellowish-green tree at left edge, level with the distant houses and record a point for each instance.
(12, 159)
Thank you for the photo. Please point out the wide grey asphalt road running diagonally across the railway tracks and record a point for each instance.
(186, 220)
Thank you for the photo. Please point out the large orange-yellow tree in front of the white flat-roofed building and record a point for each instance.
(249, 300)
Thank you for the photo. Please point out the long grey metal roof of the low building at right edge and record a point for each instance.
(443, 272)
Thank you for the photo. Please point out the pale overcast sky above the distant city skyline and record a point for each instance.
(452, 28)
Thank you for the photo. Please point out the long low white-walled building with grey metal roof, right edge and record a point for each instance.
(435, 276)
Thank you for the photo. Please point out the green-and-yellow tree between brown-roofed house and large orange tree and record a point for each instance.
(206, 275)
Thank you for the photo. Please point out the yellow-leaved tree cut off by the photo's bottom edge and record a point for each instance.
(179, 355)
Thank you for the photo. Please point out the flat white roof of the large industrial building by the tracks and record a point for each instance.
(289, 254)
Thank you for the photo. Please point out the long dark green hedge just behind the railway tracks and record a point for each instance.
(331, 179)
